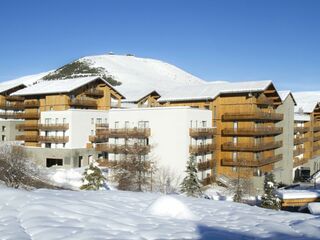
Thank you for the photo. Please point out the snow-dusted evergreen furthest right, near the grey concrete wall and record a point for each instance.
(269, 199)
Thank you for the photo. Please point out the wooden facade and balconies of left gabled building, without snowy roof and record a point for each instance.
(93, 95)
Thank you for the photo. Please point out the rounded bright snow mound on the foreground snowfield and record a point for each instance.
(167, 206)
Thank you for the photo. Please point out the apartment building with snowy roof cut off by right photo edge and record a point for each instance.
(307, 132)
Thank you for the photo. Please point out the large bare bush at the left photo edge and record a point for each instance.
(15, 169)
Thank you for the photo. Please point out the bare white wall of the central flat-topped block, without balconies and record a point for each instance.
(169, 126)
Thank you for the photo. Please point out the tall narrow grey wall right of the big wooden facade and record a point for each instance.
(283, 169)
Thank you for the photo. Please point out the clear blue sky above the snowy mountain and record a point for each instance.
(215, 40)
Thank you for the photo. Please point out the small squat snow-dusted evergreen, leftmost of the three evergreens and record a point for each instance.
(93, 178)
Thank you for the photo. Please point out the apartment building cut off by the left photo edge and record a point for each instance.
(10, 111)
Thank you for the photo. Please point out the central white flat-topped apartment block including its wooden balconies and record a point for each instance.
(167, 135)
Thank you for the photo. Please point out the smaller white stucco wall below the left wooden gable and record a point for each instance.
(81, 125)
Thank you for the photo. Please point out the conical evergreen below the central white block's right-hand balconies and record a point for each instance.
(190, 184)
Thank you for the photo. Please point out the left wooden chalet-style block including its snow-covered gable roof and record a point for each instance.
(59, 95)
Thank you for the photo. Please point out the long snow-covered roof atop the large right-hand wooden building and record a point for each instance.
(212, 90)
